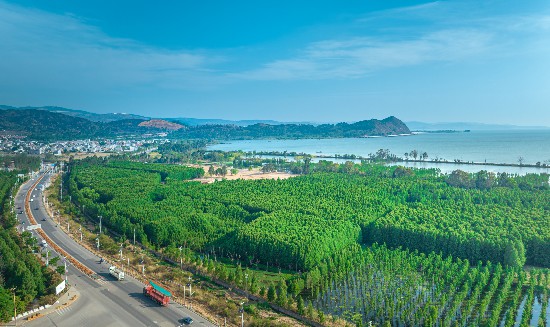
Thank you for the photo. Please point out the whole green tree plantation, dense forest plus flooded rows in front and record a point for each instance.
(454, 246)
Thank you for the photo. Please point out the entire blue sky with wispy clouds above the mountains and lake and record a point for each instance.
(318, 61)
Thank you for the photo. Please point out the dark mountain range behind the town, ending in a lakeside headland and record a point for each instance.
(55, 123)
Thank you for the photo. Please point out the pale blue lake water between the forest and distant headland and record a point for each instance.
(503, 147)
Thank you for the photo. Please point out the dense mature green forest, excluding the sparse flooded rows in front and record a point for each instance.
(420, 210)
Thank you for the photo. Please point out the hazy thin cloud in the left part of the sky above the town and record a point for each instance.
(48, 50)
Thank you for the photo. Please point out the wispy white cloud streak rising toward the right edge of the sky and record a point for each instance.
(431, 33)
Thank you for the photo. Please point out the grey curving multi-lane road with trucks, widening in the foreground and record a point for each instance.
(103, 302)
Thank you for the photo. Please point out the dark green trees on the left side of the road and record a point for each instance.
(21, 273)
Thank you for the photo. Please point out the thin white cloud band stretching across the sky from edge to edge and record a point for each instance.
(44, 52)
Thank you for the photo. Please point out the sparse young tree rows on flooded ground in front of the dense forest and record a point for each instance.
(396, 287)
